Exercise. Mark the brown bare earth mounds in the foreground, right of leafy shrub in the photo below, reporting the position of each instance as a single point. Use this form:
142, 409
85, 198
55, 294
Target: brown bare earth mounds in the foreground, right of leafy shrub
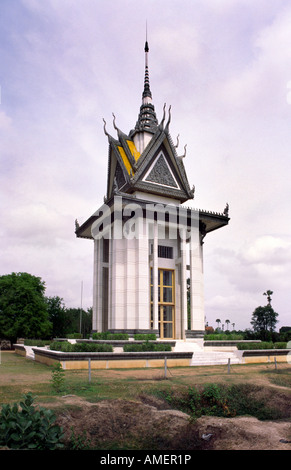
146, 424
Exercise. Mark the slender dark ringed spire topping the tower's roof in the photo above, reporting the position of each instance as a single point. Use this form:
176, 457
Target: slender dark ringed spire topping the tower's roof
147, 120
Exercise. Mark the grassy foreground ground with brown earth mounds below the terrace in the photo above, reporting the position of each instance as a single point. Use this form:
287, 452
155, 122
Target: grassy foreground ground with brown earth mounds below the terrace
128, 408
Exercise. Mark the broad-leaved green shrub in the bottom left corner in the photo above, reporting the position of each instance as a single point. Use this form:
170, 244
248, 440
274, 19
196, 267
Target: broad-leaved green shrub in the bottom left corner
25, 426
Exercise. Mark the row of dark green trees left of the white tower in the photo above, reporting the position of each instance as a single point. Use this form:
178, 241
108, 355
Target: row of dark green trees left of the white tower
26, 312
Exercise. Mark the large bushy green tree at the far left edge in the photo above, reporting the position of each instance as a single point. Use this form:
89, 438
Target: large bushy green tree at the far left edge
23, 309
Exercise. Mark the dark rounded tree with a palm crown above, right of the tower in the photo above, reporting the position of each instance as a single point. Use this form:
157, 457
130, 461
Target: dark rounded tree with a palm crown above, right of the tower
264, 319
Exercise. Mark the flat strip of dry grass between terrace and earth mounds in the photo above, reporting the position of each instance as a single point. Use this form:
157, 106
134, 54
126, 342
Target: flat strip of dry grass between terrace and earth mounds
19, 375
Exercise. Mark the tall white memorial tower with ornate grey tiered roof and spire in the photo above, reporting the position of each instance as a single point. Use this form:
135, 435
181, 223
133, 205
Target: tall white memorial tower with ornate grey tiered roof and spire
148, 248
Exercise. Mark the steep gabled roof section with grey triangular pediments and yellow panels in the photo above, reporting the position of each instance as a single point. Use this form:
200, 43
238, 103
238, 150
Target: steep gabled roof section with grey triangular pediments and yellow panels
156, 170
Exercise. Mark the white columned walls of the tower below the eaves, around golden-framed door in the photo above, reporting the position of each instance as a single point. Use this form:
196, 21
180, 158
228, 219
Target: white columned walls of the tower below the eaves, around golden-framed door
126, 294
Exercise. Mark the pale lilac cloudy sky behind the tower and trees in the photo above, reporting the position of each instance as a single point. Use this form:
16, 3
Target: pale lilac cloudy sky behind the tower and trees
224, 66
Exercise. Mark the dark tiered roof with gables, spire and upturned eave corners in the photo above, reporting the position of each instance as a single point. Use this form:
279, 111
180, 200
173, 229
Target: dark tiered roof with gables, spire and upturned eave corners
145, 162
